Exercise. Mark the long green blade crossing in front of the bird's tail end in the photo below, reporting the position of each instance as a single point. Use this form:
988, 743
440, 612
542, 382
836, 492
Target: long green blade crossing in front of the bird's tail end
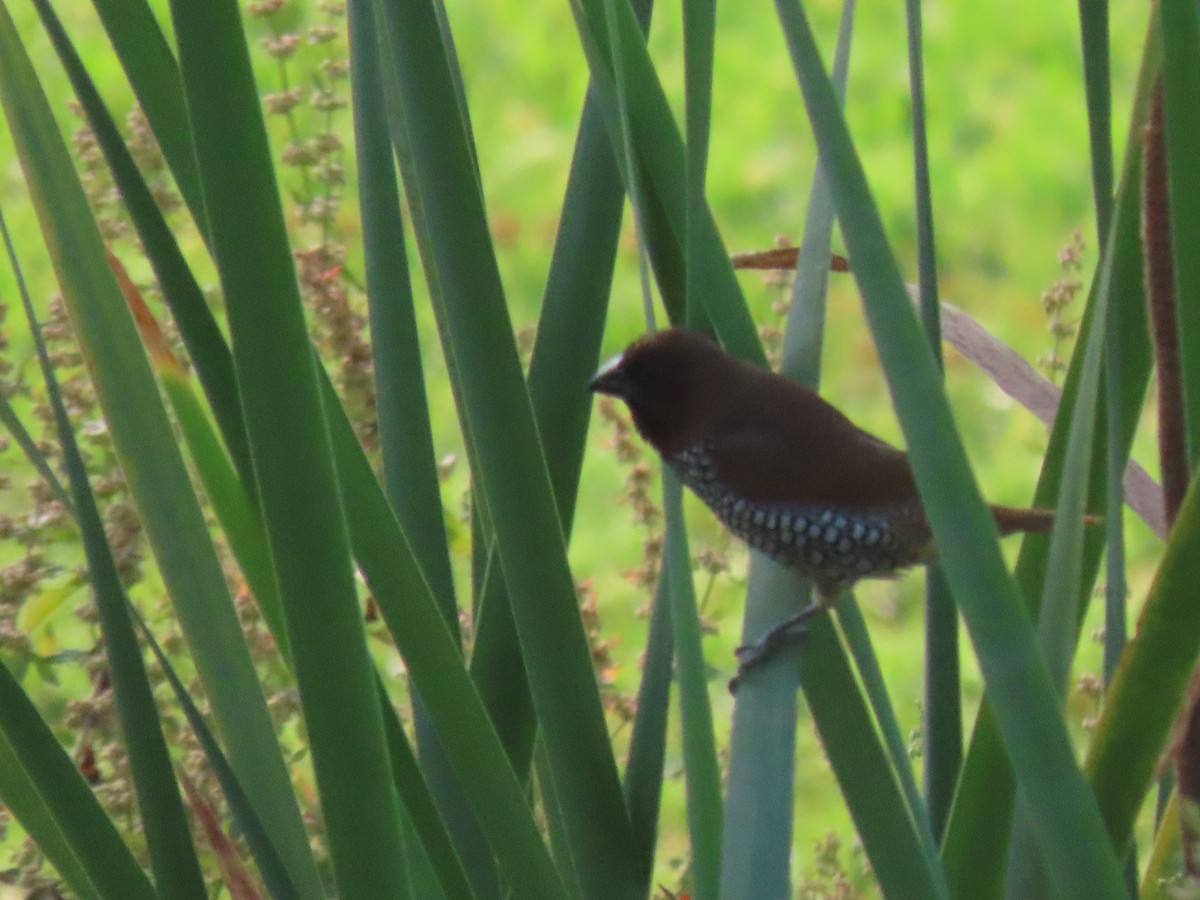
1028, 713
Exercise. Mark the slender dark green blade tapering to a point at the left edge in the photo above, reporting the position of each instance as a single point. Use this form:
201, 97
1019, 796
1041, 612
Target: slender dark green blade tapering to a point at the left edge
173, 860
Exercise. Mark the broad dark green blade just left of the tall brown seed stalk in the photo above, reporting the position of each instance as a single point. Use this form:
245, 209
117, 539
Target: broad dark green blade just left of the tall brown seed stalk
293, 458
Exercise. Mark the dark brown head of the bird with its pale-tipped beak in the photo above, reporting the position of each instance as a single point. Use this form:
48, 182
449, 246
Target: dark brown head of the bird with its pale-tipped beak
674, 383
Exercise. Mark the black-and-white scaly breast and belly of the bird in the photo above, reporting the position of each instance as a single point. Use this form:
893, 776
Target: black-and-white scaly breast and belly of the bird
832, 547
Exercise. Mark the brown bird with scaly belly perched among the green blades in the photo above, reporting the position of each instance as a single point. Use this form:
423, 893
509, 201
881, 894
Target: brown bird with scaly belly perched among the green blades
782, 469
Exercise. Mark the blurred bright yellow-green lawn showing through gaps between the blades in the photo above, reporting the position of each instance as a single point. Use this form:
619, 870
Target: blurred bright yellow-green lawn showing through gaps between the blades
1011, 183
